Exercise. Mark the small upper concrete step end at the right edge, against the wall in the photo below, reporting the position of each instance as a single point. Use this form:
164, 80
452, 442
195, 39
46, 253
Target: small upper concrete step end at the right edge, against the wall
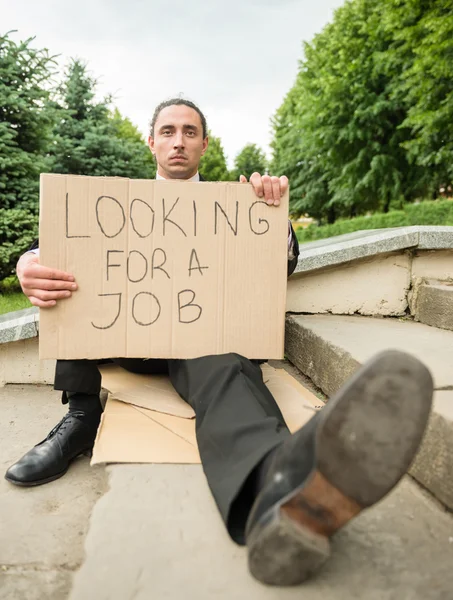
432, 304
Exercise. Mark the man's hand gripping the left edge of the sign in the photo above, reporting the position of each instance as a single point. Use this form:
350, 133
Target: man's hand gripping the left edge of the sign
43, 286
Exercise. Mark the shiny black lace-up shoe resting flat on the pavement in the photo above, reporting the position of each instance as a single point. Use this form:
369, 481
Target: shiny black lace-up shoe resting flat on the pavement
50, 459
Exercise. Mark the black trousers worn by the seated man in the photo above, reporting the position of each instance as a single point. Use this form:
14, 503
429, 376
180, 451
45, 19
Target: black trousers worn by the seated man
237, 419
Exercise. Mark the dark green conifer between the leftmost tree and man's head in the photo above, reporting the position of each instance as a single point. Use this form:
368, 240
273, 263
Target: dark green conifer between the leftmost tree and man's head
89, 139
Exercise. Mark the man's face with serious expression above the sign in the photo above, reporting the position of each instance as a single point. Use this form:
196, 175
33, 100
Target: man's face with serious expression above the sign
178, 142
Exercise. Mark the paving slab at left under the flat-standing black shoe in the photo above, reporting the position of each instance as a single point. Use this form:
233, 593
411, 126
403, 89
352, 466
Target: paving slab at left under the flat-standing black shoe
42, 529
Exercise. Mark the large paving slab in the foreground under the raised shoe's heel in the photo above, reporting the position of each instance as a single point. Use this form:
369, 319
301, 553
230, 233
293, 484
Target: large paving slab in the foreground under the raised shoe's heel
156, 534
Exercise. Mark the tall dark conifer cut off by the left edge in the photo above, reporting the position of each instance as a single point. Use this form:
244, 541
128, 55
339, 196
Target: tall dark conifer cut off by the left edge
25, 120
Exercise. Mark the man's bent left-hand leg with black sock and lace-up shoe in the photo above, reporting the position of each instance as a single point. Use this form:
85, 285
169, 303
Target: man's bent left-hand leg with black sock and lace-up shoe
73, 435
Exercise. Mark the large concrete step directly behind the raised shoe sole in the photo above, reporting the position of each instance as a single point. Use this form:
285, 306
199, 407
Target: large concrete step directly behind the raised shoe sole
329, 348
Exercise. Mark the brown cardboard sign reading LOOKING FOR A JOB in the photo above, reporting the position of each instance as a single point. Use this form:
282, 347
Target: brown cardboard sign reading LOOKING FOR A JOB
164, 269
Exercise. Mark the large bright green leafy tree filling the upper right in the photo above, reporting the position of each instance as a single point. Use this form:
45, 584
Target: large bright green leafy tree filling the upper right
368, 123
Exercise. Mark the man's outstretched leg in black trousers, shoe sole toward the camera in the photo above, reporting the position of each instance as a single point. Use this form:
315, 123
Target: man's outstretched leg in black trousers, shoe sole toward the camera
308, 485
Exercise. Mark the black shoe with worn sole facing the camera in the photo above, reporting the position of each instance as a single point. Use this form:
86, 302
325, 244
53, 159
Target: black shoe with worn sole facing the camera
346, 458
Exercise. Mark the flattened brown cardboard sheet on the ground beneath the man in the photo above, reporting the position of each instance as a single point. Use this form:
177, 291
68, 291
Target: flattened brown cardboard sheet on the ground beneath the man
143, 428
